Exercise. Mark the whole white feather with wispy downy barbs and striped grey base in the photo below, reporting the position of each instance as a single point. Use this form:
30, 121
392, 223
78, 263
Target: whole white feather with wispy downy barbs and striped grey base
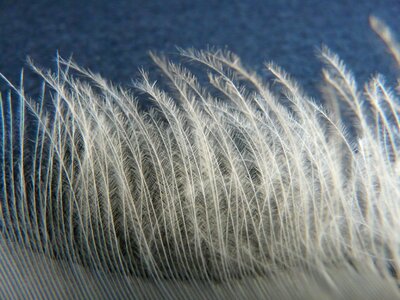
227, 187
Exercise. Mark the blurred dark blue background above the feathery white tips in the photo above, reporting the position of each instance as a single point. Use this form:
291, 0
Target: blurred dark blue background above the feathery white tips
113, 37
